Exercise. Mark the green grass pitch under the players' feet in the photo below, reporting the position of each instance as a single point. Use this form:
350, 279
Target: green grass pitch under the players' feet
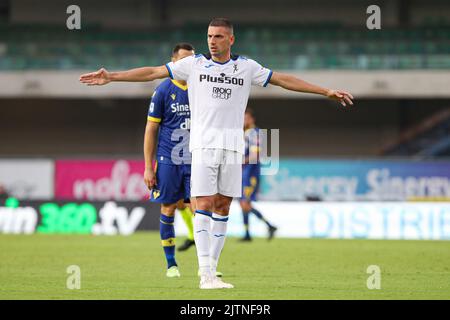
133, 267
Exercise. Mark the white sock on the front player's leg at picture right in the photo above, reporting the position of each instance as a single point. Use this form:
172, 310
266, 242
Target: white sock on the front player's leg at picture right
218, 234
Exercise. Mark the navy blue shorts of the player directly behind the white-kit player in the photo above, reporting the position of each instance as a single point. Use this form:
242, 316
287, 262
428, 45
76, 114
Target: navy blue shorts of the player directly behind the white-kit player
173, 182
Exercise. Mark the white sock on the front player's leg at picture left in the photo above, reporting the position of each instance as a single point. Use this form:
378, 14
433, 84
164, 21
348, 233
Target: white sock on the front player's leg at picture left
202, 230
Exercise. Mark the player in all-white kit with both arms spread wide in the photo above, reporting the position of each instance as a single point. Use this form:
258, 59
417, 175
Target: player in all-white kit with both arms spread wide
219, 86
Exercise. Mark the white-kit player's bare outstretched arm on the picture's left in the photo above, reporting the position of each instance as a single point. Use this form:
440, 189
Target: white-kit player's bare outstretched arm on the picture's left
103, 76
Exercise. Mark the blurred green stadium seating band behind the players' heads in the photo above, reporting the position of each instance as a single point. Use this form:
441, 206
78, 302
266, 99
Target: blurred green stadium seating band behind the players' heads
283, 47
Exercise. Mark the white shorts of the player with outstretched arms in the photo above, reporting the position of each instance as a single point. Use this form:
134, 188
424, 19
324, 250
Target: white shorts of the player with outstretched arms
216, 171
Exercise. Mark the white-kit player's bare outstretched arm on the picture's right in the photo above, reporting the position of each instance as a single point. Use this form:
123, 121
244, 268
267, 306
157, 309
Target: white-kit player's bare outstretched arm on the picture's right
292, 83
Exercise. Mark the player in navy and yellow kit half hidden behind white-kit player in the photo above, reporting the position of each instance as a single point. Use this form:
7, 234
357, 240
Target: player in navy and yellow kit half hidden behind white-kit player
169, 182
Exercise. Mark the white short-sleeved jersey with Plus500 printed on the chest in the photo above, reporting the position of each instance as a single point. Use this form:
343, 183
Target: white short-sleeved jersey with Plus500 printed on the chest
218, 95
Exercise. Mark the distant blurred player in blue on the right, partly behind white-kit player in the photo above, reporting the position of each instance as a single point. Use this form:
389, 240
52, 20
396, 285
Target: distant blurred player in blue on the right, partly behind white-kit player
251, 171
